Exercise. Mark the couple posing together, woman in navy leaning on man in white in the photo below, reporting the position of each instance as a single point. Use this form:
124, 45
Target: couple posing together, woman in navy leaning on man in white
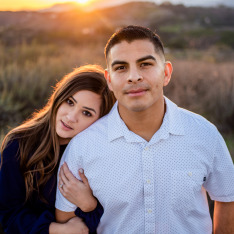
148, 162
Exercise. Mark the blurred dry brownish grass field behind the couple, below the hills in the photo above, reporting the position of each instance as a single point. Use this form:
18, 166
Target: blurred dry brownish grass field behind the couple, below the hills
202, 82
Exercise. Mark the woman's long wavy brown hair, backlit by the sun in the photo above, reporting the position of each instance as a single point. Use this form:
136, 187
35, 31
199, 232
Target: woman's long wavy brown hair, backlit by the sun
38, 141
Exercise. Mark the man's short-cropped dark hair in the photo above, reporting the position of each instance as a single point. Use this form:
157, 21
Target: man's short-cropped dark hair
132, 33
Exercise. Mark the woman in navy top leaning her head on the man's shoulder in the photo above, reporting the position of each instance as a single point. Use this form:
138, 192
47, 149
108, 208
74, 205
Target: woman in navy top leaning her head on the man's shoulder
31, 152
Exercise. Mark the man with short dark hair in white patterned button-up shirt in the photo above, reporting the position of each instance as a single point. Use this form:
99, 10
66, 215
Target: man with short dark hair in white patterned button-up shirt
149, 162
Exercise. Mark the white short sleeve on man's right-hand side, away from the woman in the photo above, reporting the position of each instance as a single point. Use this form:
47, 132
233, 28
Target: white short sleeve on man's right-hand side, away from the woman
219, 183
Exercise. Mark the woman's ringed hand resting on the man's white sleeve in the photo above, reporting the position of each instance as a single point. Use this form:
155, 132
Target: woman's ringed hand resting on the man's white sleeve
76, 191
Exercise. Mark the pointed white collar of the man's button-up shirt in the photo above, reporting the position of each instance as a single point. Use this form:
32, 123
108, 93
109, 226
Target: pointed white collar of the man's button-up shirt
172, 124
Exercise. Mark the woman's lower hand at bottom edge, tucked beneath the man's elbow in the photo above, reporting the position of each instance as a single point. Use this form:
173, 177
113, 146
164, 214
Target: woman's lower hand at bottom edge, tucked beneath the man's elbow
74, 226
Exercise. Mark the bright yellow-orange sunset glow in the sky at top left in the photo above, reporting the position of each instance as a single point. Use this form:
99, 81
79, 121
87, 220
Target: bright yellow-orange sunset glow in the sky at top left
15, 5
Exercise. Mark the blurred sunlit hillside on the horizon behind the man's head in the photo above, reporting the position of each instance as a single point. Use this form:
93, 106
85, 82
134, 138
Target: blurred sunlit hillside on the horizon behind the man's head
179, 26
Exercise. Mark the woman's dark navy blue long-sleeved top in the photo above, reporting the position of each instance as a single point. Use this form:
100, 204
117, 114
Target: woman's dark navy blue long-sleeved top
33, 216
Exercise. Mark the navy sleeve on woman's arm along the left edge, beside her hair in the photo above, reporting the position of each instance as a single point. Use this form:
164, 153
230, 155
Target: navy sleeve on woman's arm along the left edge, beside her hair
17, 216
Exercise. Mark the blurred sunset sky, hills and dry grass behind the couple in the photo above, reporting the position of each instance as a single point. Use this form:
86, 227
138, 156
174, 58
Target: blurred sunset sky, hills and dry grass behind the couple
42, 41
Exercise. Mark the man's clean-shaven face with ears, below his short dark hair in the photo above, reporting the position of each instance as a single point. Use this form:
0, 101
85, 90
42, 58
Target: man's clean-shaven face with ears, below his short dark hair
136, 74
